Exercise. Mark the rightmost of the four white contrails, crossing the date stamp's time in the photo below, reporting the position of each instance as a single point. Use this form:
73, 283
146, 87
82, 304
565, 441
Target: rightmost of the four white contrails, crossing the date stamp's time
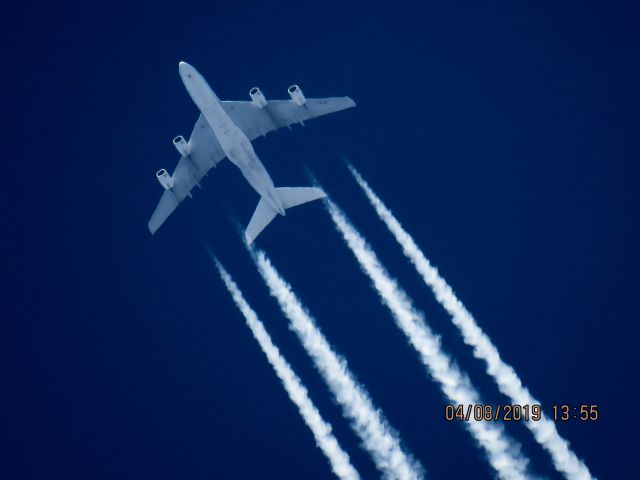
505, 376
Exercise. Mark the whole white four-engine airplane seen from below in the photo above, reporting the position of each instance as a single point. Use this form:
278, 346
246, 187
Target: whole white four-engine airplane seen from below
226, 129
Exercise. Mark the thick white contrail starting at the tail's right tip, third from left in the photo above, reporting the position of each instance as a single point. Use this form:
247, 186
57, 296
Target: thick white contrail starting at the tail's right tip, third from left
503, 453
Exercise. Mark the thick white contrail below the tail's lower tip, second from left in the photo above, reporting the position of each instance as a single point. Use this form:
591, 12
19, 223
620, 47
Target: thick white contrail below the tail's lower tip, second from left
368, 422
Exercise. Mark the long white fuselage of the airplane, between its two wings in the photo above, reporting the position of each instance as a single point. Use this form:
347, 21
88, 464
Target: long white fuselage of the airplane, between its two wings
232, 140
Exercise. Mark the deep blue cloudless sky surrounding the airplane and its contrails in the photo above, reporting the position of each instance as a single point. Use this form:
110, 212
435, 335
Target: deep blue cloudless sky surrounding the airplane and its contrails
504, 135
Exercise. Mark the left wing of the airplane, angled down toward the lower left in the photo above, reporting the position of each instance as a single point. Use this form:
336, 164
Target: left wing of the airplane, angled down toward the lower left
205, 154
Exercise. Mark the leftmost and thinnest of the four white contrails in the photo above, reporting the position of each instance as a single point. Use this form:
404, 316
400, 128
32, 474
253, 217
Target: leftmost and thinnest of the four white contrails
298, 394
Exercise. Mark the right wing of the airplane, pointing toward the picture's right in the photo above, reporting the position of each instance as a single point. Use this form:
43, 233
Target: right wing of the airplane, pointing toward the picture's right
255, 121
